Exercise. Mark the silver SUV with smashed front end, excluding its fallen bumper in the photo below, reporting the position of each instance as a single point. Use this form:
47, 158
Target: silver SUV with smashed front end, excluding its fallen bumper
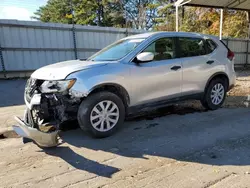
132, 74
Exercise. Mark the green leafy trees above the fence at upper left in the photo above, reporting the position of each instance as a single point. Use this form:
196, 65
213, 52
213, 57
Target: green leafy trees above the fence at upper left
85, 12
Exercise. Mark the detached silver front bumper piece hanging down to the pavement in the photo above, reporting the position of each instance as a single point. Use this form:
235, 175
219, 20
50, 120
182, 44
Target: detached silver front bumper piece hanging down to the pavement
40, 138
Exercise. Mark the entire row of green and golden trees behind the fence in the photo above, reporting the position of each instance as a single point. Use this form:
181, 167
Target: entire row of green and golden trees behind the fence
144, 14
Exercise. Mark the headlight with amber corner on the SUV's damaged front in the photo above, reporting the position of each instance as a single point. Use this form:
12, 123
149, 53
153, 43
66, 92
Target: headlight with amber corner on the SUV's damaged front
57, 86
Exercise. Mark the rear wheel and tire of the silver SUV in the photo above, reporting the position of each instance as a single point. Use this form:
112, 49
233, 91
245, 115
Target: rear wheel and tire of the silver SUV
216, 85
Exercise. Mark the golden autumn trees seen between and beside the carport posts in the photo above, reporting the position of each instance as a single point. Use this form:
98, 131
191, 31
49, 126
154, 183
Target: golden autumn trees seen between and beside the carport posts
207, 21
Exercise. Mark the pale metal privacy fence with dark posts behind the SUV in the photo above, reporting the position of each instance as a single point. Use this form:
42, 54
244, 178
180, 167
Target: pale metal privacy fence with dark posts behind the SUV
26, 45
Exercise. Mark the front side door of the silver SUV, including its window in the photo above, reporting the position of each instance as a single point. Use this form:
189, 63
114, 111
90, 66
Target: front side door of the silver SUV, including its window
159, 79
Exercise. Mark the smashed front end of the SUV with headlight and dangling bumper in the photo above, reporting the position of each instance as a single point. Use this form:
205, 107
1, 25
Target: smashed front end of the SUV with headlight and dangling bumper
49, 104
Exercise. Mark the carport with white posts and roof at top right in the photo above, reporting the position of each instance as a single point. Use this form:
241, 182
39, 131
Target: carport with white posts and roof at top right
221, 4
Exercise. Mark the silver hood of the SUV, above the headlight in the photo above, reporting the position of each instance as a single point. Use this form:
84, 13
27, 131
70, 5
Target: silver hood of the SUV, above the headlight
61, 70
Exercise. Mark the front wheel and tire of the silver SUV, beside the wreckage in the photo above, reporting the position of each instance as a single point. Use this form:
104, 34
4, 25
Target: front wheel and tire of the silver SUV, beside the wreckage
93, 106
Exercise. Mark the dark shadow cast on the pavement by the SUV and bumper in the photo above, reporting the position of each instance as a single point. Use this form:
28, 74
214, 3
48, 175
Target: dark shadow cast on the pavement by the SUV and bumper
214, 138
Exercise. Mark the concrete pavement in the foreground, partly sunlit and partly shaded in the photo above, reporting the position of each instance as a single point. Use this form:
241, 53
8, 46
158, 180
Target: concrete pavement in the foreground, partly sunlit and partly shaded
208, 149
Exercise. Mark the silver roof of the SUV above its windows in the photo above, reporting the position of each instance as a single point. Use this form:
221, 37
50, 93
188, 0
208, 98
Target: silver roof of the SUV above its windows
164, 33
